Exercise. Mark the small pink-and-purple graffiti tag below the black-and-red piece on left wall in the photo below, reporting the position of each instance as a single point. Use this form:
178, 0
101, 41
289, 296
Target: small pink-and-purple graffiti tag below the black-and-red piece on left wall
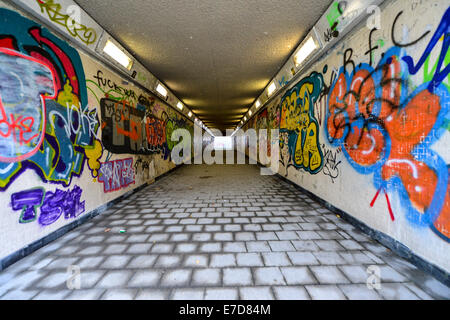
117, 174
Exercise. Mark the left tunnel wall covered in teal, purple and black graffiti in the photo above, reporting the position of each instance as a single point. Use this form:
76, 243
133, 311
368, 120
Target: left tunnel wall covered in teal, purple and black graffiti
73, 134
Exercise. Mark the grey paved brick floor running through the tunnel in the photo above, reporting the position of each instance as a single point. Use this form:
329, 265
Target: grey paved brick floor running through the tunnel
216, 232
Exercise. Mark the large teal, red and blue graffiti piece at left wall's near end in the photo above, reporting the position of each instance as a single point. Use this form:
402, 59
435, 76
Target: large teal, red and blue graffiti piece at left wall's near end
47, 67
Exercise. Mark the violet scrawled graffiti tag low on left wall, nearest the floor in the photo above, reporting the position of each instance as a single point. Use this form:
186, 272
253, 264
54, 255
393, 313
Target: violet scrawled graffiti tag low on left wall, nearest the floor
52, 205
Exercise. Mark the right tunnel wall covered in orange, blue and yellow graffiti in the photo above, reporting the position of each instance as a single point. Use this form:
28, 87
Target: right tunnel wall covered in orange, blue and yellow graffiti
367, 127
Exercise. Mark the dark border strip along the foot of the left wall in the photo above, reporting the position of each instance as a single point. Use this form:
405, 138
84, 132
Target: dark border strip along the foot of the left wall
36, 245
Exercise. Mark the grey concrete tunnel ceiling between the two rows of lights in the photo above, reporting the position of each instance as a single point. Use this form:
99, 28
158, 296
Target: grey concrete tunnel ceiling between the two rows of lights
215, 55
